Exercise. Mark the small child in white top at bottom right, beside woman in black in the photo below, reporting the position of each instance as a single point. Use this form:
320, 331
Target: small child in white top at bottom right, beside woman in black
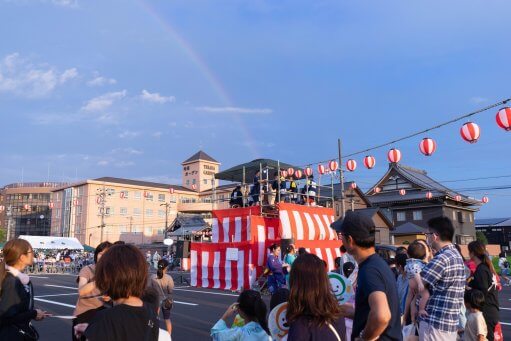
475, 329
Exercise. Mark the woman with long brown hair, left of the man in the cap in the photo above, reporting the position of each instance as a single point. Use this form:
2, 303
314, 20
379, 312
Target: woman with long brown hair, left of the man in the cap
313, 313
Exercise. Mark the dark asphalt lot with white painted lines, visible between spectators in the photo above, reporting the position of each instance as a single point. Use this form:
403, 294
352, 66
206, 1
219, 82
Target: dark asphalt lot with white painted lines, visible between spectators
195, 310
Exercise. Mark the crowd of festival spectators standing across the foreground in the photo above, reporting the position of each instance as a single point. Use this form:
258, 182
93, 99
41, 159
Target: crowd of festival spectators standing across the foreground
432, 293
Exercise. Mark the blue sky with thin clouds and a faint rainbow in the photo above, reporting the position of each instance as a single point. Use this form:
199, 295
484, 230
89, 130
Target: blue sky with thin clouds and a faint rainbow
132, 88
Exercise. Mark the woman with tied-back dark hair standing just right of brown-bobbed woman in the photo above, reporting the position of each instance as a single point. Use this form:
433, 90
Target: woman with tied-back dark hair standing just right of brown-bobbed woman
164, 285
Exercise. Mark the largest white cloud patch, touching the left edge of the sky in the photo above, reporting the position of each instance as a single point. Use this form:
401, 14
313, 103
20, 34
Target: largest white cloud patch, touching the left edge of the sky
24, 78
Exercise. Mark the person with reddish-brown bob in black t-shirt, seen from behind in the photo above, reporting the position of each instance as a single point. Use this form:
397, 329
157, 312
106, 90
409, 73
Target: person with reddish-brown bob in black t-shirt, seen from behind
121, 273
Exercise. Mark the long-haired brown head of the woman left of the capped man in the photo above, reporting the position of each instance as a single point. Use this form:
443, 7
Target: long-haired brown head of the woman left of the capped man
310, 292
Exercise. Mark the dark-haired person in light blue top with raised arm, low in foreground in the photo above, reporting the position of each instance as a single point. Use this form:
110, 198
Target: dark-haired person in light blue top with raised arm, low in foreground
252, 309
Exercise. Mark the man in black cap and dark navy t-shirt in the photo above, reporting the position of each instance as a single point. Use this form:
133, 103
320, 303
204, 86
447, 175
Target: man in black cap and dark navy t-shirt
376, 315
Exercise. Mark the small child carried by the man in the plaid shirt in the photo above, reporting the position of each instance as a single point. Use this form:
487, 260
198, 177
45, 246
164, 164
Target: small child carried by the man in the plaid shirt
417, 291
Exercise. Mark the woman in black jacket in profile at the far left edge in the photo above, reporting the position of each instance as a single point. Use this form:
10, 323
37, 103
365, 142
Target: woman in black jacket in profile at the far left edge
17, 294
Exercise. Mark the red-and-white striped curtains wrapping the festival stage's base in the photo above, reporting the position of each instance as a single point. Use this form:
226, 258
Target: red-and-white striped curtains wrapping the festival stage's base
241, 237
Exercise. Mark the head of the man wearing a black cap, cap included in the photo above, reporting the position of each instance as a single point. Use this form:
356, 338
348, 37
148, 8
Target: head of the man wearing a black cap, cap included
357, 231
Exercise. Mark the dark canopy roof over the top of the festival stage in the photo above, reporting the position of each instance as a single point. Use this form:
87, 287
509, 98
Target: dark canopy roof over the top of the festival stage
235, 173
